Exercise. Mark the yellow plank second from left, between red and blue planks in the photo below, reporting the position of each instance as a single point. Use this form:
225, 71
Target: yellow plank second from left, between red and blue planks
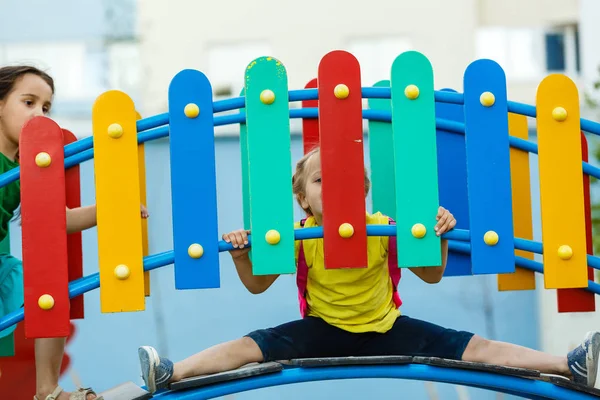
120, 251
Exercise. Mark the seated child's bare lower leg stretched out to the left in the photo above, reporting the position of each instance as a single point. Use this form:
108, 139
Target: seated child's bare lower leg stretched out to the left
222, 357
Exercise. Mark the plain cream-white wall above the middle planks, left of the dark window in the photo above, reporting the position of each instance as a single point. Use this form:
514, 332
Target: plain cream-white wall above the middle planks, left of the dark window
298, 34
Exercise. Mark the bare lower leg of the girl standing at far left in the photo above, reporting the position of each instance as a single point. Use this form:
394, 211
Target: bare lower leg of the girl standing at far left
48, 359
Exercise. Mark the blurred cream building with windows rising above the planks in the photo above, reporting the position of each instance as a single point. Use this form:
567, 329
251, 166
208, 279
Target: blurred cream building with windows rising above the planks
528, 38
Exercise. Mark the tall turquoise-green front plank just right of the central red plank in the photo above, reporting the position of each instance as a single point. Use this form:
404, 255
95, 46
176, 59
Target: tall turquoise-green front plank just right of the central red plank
417, 197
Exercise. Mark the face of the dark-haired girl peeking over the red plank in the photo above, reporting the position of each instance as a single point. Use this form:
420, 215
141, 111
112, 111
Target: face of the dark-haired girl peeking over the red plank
31, 97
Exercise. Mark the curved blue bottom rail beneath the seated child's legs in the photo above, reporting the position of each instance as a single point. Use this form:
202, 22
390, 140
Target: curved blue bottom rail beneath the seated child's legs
525, 387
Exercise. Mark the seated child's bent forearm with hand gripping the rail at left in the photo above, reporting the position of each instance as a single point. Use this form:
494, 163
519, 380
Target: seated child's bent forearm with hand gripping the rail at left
254, 283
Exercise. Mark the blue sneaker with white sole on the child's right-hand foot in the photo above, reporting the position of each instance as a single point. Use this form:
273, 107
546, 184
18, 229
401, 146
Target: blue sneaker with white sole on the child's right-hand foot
583, 360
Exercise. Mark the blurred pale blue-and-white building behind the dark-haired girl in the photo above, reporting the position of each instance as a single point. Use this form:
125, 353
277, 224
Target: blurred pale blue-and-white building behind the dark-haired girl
88, 47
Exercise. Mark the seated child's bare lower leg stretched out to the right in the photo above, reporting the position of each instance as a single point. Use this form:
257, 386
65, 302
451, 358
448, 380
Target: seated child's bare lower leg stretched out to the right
511, 355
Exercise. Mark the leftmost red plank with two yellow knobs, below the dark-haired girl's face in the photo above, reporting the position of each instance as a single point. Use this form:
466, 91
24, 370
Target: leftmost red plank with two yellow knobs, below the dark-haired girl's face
44, 229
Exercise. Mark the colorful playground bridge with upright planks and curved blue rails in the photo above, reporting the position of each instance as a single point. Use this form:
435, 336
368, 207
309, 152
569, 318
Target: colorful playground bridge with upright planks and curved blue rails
427, 148
